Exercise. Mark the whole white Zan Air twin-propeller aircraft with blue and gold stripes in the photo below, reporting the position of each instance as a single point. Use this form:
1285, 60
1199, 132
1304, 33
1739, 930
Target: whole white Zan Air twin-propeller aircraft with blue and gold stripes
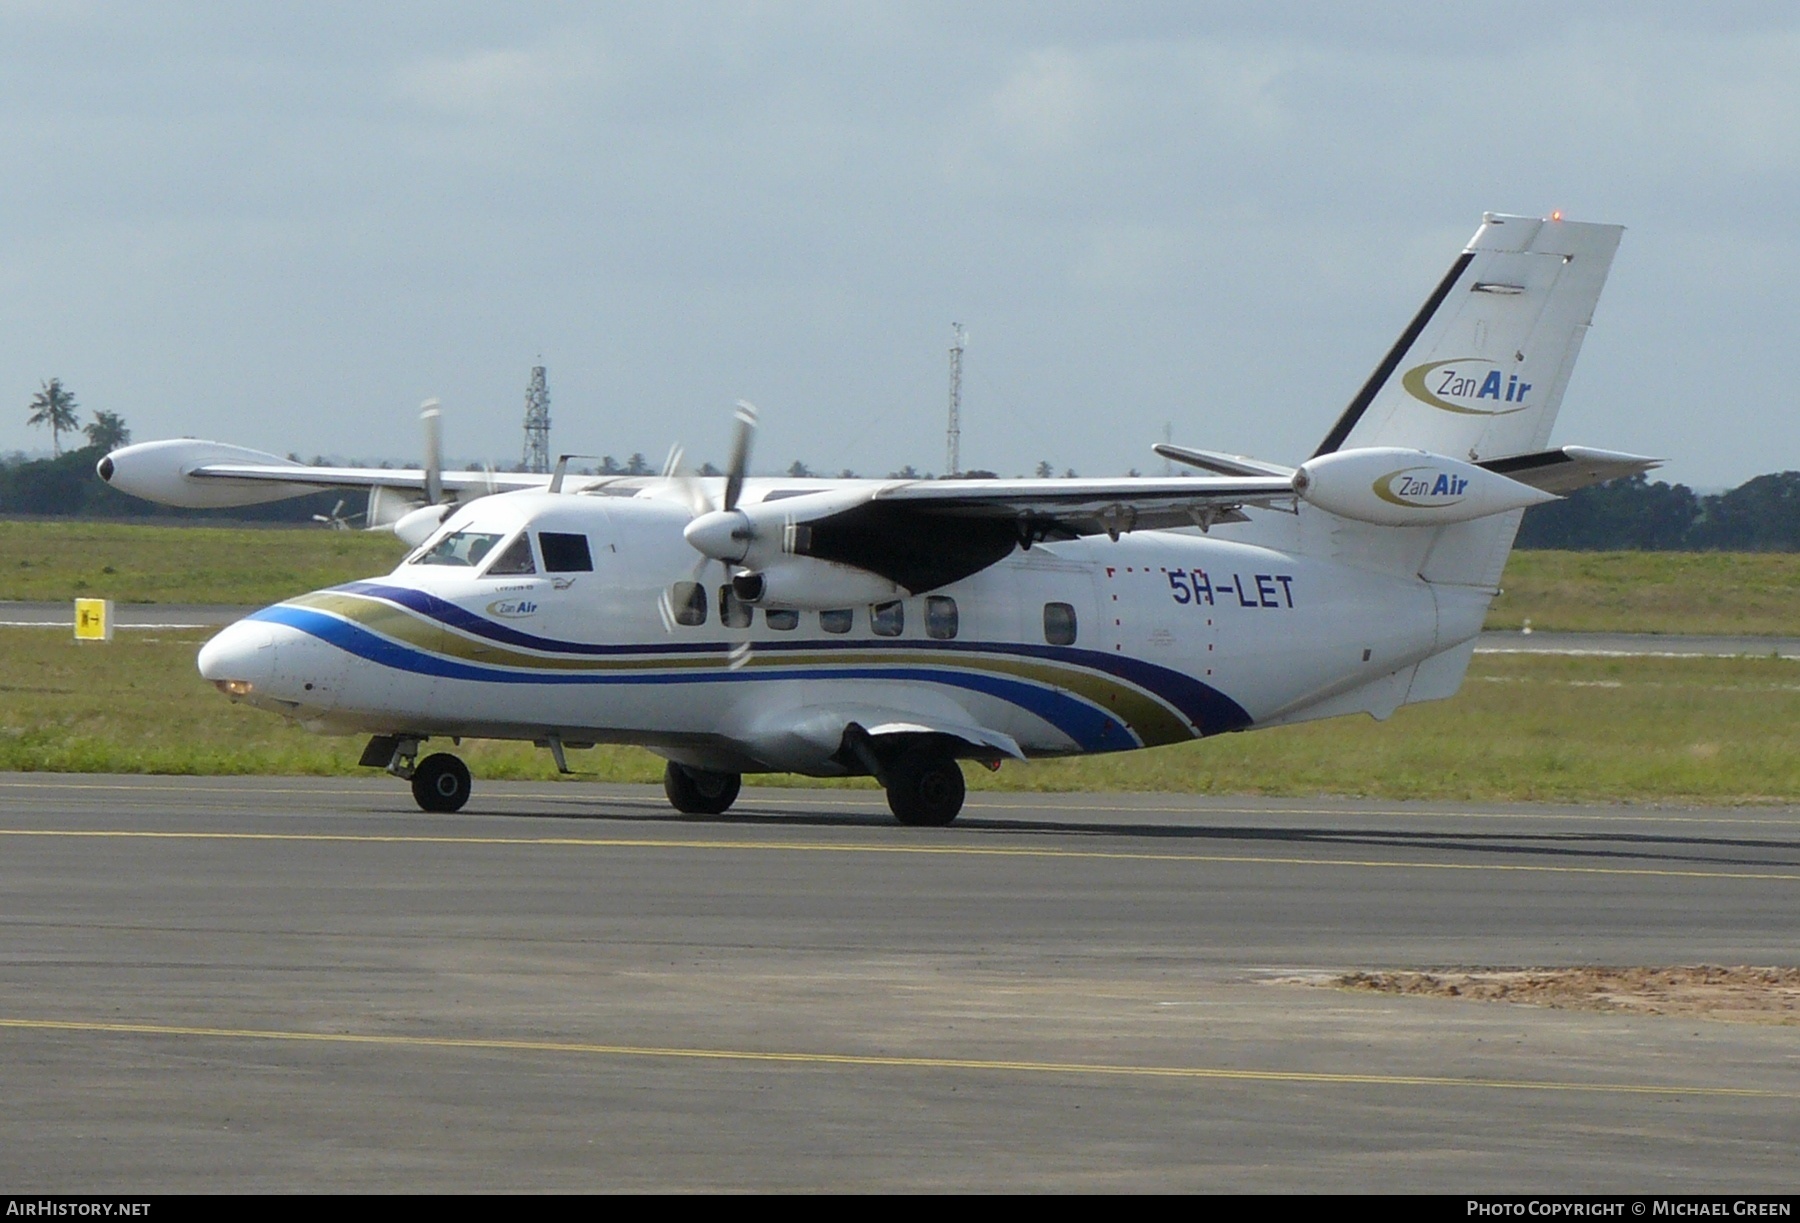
895, 628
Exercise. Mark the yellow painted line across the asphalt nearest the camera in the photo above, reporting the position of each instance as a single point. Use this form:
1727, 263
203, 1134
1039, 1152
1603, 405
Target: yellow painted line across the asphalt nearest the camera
886, 1062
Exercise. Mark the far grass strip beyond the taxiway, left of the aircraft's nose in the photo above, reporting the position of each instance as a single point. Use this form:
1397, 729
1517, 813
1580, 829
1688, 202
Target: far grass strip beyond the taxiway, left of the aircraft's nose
183, 565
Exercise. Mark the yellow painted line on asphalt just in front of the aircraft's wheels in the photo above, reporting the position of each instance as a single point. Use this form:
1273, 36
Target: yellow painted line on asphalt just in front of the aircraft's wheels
939, 851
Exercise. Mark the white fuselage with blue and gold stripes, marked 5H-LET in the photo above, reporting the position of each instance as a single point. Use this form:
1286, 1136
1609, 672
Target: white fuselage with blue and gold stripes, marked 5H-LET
589, 619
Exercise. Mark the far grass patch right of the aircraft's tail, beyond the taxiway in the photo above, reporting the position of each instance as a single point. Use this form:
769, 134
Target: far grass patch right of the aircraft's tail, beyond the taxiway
1725, 593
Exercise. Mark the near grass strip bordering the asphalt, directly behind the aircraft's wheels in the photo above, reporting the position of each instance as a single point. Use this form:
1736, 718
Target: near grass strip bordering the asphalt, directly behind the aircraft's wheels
1524, 729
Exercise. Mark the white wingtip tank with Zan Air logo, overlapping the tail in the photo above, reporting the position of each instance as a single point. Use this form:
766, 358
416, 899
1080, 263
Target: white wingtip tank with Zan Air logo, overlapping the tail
1394, 487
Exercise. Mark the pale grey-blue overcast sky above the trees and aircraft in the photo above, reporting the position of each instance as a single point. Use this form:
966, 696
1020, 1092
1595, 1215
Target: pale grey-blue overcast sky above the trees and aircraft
285, 226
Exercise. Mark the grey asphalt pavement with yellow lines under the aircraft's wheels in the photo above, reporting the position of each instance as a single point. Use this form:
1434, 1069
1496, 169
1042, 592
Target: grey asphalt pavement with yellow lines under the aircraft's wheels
276, 984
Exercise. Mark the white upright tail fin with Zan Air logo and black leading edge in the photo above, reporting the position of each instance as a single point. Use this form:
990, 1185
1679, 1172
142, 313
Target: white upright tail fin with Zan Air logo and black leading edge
1482, 368
